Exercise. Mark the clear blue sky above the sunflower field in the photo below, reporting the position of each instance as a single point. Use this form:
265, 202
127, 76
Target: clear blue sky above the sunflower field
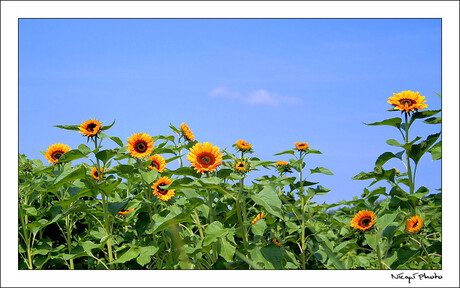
271, 82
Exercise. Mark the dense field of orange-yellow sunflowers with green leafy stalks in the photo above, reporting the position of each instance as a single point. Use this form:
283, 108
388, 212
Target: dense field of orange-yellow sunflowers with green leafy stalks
123, 208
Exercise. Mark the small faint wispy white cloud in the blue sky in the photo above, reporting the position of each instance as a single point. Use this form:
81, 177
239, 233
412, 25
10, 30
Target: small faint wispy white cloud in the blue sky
257, 97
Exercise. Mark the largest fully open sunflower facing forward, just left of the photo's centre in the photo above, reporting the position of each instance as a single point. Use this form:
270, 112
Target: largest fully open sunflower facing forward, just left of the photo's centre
204, 157
